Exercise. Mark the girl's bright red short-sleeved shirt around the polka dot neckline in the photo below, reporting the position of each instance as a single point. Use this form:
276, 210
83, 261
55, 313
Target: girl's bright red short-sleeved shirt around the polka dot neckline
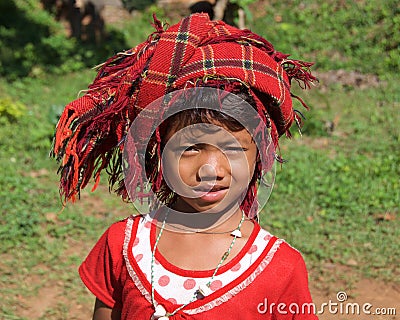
275, 286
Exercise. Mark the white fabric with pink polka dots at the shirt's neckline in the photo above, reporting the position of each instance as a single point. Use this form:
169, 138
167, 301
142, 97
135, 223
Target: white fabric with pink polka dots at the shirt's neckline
174, 285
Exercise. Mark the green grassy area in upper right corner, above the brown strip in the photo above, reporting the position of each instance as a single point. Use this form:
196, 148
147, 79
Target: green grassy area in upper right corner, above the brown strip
354, 35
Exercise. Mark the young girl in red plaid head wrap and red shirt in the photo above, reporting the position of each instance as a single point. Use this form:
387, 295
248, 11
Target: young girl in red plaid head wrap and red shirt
188, 120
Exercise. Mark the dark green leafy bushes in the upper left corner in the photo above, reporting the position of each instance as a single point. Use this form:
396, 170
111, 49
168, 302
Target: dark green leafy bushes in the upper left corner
33, 43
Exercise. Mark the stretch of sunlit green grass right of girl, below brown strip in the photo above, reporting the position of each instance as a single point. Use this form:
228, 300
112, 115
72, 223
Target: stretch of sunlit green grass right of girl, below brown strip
337, 197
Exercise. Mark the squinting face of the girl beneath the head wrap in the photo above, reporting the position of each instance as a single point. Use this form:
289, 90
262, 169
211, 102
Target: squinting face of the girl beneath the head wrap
208, 166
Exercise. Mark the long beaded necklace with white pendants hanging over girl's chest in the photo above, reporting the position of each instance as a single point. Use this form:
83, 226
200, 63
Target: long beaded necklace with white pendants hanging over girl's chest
203, 290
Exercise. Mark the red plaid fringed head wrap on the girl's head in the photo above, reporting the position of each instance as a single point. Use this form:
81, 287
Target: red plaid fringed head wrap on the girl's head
196, 51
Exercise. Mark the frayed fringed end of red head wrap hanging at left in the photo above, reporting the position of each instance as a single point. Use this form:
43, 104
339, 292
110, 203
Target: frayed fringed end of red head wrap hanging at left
94, 116
